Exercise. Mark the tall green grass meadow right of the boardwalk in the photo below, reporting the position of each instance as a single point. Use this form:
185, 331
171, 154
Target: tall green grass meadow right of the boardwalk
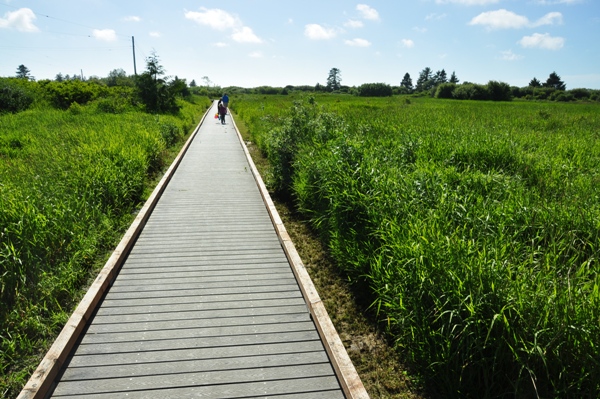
473, 227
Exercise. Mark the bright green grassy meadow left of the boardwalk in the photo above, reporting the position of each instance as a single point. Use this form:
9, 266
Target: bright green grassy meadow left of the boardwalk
70, 184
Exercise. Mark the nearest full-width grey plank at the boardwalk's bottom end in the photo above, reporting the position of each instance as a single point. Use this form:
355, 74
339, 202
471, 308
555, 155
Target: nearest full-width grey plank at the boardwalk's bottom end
209, 378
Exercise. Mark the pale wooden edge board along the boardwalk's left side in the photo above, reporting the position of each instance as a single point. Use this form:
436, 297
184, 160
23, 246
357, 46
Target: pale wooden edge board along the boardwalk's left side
42, 379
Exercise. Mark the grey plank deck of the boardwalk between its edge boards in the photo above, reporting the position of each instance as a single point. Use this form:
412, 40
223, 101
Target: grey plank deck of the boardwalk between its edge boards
206, 304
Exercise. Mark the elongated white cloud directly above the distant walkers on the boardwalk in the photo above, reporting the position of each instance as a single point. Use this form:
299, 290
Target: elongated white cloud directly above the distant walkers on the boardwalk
221, 20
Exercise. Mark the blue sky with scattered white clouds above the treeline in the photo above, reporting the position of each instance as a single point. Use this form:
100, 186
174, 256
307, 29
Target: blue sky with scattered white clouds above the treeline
251, 43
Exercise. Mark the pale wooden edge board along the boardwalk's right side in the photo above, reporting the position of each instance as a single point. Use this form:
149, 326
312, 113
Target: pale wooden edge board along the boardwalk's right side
343, 366
